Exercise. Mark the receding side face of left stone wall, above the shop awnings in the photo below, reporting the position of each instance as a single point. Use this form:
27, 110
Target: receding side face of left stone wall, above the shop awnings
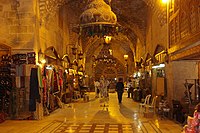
53, 32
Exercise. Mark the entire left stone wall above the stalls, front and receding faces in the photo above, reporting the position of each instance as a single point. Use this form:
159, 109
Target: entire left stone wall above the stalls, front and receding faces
24, 29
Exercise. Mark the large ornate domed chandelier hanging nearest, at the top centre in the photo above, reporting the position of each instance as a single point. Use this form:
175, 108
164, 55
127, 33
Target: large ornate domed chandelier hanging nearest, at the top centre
97, 20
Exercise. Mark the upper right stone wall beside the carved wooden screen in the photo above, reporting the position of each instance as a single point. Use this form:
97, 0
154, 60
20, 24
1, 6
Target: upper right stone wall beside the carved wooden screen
156, 34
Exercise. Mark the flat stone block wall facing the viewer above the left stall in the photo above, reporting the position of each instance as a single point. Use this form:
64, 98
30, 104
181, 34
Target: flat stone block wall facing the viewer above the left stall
17, 25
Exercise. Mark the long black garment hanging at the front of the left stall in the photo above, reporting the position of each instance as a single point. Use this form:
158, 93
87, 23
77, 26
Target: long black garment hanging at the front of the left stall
34, 89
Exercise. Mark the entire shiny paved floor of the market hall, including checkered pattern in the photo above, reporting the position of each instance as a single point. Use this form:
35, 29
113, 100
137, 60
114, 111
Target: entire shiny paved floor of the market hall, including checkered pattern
94, 117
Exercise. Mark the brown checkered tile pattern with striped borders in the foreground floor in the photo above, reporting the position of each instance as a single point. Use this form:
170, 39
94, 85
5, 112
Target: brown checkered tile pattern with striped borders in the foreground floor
60, 127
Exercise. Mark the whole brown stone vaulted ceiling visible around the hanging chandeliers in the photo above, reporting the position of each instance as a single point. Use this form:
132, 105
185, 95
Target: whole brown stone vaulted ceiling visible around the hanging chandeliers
131, 15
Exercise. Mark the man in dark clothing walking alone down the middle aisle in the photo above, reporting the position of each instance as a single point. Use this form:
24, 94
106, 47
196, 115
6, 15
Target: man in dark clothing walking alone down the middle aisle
120, 89
